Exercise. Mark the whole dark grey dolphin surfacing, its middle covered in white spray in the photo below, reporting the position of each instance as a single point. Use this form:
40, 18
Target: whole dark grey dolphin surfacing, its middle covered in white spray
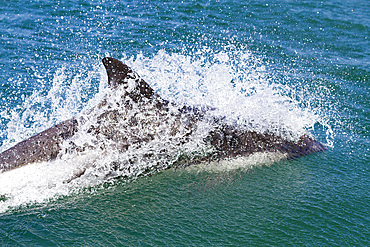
138, 115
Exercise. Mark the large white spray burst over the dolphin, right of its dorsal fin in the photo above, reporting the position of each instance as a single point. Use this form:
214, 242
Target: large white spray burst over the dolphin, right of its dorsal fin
234, 82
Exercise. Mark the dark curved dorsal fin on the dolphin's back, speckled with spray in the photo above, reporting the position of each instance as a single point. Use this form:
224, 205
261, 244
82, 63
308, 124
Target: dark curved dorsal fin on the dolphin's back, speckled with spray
119, 73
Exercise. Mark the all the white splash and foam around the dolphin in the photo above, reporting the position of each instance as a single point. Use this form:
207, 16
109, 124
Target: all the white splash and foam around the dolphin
233, 81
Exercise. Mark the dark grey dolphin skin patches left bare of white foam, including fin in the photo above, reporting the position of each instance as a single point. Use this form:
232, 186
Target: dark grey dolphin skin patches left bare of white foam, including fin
227, 140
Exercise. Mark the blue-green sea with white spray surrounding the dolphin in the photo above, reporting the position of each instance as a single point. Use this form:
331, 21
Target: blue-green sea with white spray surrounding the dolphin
303, 65
